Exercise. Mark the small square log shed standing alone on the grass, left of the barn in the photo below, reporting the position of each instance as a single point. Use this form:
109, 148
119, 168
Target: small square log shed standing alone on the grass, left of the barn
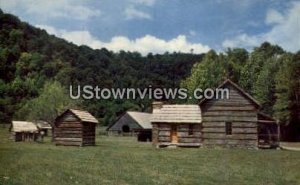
75, 127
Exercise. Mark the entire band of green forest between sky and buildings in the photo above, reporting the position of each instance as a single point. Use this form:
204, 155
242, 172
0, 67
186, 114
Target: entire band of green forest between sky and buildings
37, 68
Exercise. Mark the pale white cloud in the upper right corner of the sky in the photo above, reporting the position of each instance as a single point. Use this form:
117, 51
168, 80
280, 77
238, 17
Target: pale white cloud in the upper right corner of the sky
285, 31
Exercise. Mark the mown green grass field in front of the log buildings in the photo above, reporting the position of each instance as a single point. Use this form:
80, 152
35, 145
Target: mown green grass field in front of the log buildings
118, 160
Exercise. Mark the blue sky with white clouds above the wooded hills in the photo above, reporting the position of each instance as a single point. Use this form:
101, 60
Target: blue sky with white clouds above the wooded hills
160, 26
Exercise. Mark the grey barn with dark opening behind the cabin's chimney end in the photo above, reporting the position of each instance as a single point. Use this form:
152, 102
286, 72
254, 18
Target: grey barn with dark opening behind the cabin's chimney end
132, 124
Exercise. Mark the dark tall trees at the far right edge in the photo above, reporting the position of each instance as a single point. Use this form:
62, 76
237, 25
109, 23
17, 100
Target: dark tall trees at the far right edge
287, 105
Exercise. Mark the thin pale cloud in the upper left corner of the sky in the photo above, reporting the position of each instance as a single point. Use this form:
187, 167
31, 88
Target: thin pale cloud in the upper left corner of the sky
58, 8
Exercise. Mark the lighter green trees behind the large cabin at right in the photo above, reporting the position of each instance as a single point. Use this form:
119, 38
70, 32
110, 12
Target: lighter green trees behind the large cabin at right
270, 74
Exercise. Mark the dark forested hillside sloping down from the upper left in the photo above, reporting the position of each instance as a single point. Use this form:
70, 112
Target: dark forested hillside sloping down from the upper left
34, 64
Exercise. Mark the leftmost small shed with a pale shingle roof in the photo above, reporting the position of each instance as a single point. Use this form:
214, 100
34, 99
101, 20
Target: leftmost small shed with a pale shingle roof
24, 131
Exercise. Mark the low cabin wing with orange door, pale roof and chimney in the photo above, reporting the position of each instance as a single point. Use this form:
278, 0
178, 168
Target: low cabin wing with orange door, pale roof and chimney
176, 125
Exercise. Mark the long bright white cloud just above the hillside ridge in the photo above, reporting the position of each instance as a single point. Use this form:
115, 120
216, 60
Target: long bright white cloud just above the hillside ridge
144, 45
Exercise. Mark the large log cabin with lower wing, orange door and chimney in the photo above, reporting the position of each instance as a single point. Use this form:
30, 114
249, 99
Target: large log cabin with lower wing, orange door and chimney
229, 122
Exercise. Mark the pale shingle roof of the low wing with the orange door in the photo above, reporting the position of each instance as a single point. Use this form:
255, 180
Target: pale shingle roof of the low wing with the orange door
177, 114
